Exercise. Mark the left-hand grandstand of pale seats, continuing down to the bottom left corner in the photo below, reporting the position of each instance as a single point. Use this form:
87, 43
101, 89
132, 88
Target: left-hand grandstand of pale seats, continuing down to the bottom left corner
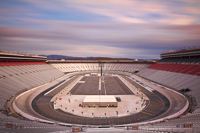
20, 76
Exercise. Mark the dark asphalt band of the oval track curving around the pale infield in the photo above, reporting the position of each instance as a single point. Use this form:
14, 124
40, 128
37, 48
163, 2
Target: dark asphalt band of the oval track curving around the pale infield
157, 106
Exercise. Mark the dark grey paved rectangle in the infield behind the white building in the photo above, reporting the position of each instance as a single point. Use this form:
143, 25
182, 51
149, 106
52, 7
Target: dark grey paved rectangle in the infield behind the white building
111, 85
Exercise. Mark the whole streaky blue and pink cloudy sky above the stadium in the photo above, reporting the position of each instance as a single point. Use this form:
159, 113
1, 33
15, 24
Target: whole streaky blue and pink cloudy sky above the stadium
105, 28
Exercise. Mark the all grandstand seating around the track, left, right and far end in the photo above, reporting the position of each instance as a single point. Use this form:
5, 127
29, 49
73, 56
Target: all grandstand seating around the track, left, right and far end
19, 76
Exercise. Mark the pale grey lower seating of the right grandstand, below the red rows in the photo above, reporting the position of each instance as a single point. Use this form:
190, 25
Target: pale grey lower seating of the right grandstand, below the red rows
175, 80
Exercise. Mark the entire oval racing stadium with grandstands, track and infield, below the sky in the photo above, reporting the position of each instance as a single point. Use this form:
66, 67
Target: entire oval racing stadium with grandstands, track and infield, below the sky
40, 95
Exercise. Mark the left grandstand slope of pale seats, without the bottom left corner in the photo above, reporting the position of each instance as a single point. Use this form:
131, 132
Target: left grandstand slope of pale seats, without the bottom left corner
24, 76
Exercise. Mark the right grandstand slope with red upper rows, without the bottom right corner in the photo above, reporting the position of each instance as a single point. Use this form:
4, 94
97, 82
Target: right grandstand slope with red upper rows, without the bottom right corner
176, 76
